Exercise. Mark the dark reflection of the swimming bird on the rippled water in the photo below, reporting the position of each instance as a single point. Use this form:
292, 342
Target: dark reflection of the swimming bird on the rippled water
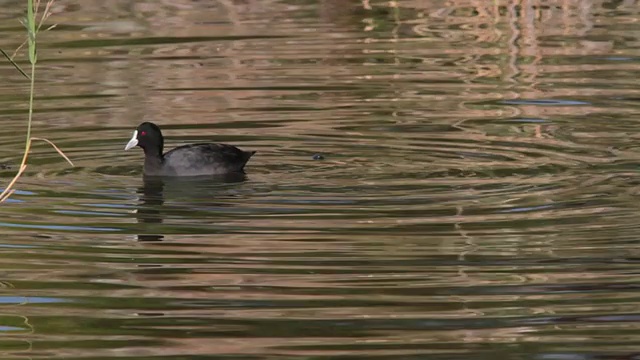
152, 197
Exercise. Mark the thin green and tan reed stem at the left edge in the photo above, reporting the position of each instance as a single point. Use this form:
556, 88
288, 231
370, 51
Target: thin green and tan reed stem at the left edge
33, 26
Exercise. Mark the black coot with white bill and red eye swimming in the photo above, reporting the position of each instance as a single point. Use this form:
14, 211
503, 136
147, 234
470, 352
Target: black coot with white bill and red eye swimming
187, 160
